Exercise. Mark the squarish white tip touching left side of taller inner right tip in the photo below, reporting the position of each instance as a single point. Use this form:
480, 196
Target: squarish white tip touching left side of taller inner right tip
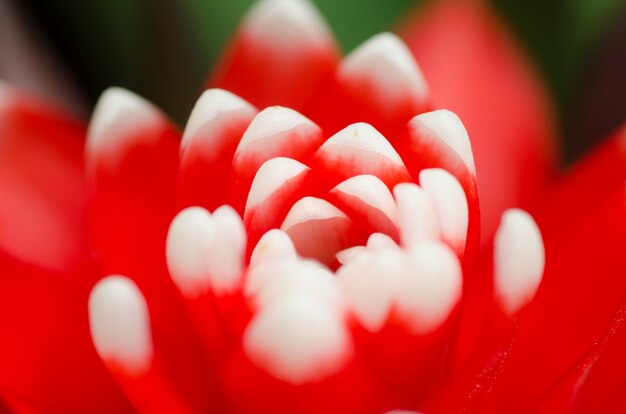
417, 218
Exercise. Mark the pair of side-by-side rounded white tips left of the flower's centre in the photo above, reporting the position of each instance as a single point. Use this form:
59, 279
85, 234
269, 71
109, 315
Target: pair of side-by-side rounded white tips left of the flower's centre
206, 252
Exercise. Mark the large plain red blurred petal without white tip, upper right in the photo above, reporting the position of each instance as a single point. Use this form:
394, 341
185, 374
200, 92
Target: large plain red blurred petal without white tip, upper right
475, 69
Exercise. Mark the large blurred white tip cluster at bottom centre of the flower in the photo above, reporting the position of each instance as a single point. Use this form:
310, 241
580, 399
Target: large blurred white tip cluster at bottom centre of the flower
298, 333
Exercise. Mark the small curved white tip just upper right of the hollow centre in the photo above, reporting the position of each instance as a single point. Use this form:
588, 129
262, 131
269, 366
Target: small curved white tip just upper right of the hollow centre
373, 192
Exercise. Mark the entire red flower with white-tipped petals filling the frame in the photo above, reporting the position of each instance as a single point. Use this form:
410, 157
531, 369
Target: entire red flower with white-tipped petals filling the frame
323, 255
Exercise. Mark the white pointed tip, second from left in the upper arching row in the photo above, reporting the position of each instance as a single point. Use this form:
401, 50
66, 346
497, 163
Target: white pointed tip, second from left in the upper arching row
214, 109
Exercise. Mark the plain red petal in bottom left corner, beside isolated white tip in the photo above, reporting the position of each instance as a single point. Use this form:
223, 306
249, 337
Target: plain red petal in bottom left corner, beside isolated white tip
46, 333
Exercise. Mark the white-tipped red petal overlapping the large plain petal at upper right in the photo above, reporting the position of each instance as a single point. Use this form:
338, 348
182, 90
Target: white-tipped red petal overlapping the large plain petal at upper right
379, 83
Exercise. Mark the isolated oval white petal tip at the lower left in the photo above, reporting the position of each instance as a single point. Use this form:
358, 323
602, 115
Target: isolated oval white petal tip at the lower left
120, 325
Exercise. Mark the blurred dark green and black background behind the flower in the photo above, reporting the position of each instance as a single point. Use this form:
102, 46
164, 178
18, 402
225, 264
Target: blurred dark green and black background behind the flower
69, 51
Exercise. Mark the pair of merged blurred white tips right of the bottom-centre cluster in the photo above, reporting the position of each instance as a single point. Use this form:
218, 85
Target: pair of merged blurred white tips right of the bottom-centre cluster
421, 284
